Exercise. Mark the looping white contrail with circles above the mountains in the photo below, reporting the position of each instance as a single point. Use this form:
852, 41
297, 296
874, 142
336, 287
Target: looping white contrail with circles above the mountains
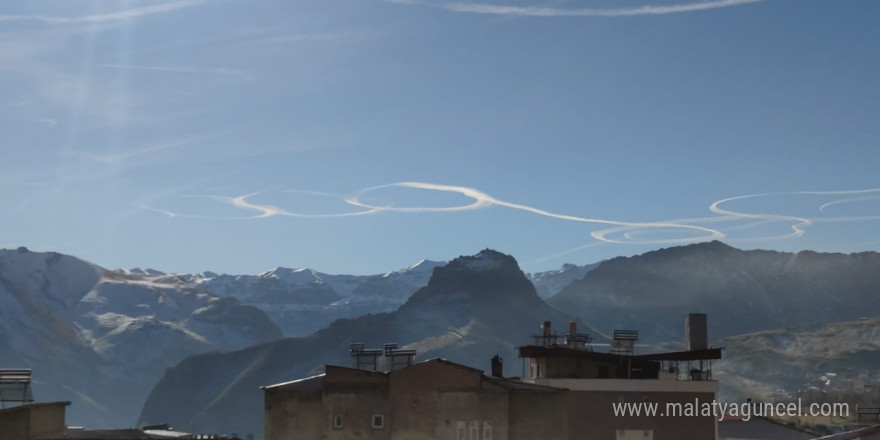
620, 232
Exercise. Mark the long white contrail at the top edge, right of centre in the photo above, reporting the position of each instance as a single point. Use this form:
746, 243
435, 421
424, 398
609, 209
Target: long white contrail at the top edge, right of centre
540, 11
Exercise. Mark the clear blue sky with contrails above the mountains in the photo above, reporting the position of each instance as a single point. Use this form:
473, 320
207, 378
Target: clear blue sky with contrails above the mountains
360, 136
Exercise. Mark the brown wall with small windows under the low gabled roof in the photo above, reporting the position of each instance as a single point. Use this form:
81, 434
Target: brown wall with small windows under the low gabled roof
425, 401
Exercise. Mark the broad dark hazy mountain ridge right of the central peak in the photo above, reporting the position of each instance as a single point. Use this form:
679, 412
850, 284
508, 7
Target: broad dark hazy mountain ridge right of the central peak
743, 291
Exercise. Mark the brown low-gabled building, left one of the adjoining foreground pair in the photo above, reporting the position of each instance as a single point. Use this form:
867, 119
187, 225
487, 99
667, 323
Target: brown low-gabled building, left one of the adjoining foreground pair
435, 399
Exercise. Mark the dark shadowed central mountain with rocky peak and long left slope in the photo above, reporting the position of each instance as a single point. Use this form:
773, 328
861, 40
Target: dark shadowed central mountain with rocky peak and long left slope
471, 309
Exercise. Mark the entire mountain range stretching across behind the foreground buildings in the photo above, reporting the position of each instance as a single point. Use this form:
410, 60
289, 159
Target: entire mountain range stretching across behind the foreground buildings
89, 332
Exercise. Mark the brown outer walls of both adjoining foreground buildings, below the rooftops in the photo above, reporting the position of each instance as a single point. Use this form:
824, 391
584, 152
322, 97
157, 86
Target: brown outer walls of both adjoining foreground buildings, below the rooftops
433, 400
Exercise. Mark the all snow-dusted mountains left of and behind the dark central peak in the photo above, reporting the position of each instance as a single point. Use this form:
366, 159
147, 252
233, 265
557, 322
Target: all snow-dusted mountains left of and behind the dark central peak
88, 332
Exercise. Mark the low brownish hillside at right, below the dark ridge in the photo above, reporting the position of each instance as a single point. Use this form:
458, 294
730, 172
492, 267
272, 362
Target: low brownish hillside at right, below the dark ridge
838, 358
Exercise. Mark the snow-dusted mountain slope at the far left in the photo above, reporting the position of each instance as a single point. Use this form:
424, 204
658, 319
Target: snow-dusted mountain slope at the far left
101, 339
